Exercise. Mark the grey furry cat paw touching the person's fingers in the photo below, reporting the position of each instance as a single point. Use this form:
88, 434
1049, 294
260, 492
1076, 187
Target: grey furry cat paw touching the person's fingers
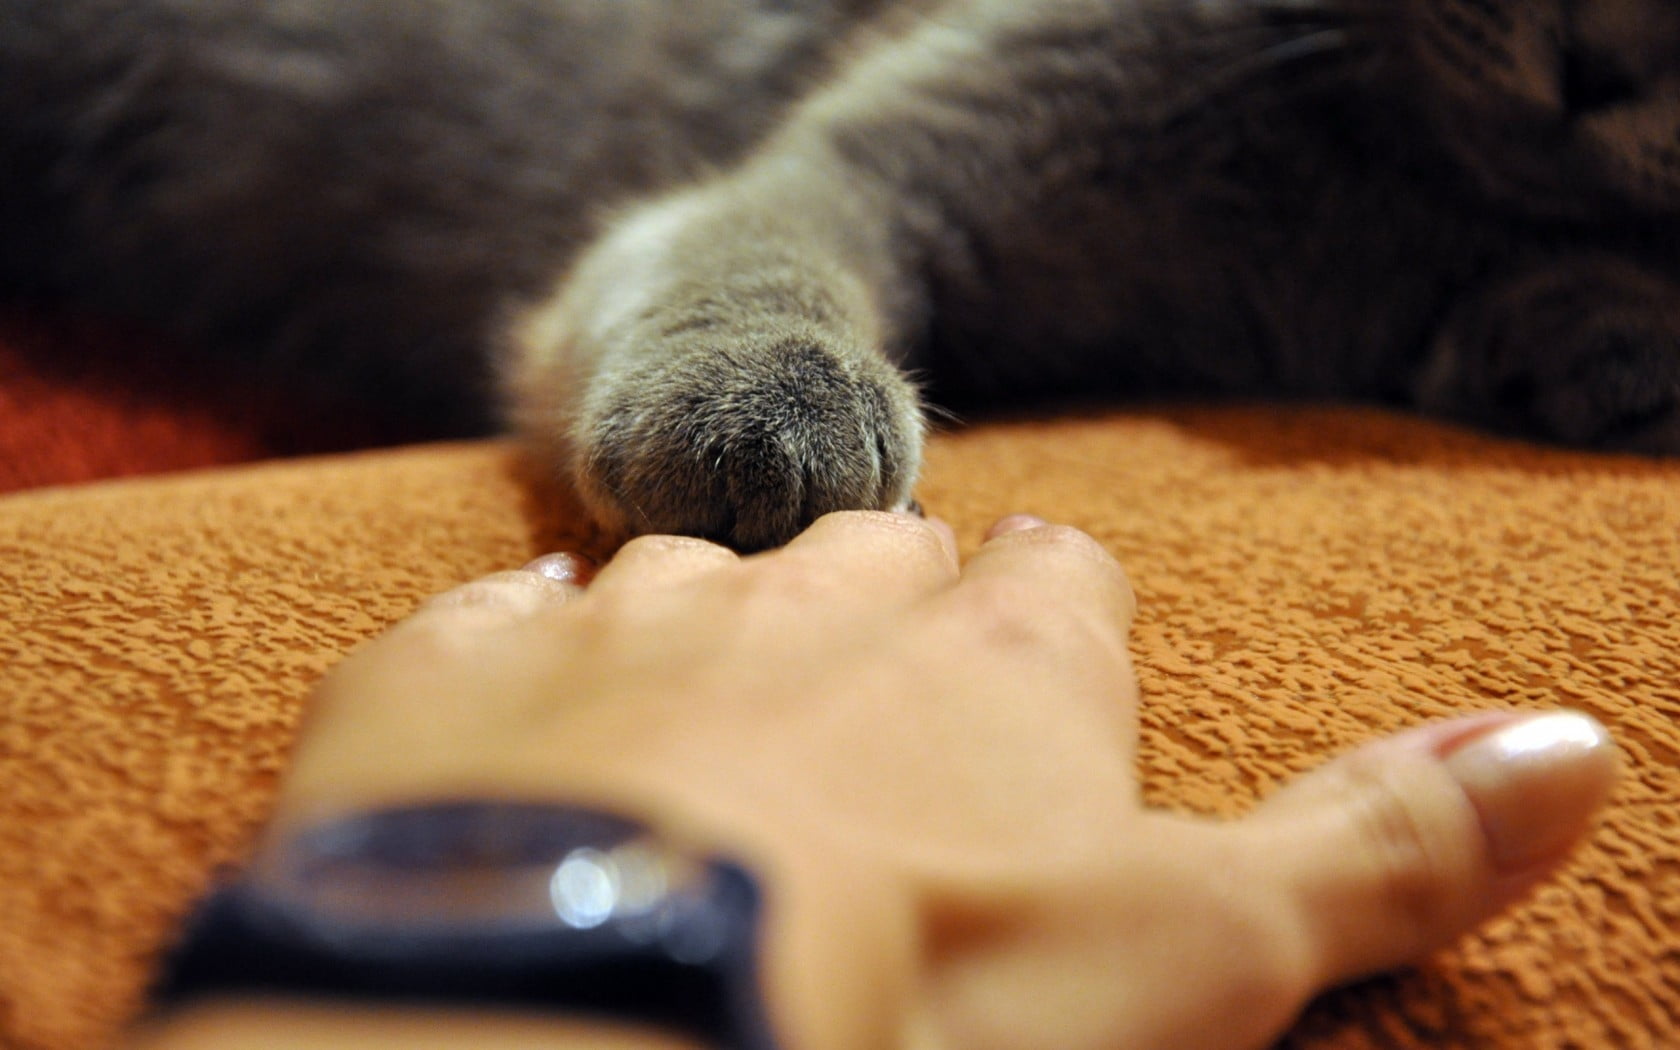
747, 444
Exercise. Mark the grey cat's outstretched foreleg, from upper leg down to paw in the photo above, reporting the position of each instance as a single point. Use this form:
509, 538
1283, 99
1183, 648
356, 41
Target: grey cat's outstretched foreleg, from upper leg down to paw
727, 362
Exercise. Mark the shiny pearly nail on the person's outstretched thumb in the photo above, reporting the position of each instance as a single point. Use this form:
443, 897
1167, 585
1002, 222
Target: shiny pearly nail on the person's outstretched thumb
1536, 784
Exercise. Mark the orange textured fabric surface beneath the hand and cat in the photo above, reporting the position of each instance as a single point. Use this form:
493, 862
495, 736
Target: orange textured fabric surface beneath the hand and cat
1308, 579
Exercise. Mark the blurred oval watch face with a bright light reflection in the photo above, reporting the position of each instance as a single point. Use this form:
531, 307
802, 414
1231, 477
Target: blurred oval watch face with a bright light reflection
481, 868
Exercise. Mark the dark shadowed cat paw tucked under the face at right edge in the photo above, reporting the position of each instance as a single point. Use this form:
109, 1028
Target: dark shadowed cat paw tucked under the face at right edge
1588, 359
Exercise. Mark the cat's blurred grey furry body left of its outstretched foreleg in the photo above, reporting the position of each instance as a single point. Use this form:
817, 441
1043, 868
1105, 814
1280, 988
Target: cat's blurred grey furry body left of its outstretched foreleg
350, 194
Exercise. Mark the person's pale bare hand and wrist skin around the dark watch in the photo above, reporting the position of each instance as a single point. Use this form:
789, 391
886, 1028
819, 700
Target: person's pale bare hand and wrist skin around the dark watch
932, 767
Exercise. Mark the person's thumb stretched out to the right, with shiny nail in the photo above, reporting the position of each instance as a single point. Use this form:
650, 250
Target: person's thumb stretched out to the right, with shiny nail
1407, 844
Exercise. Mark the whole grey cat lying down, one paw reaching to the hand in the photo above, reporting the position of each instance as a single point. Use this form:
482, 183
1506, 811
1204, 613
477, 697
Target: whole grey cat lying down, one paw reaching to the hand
1464, 207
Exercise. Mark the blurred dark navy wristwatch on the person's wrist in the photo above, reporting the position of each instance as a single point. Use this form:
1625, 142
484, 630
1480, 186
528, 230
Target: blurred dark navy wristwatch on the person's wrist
505, 903
